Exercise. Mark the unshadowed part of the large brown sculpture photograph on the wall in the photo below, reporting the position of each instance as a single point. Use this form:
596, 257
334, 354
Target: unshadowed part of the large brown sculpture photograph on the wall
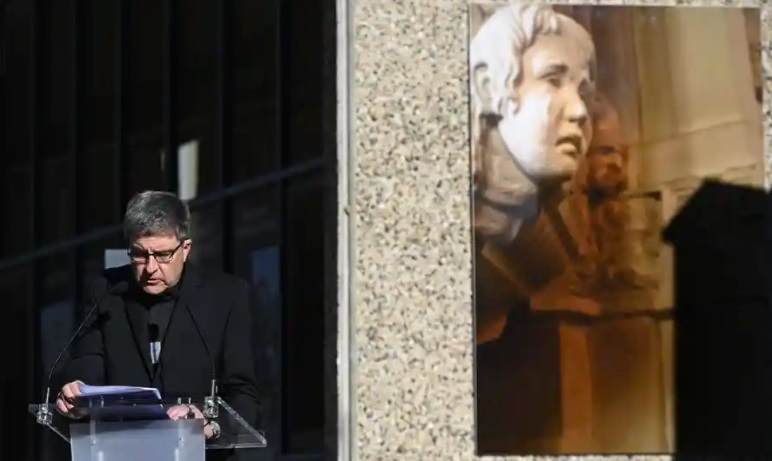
591, 127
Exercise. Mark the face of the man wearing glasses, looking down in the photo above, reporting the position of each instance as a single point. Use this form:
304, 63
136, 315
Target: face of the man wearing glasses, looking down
158, 261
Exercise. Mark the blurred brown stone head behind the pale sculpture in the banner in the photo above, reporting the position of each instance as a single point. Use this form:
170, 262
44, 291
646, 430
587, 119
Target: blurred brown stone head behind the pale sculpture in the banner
607, 156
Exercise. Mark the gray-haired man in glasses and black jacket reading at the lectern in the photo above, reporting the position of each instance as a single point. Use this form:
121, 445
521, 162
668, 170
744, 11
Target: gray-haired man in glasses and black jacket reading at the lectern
162, 322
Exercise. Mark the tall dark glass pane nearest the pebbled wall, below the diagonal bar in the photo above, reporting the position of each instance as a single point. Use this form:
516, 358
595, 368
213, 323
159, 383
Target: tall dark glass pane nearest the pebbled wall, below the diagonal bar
303, 356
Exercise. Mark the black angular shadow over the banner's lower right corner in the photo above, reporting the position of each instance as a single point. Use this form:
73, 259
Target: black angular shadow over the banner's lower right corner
723, 323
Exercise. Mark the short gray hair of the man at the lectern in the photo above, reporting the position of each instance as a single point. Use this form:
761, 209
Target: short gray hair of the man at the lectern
154, 213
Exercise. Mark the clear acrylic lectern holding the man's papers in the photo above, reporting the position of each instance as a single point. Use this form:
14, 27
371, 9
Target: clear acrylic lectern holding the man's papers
131, 431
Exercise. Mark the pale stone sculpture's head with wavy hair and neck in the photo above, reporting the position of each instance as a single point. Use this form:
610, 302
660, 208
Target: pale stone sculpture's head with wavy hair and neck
531, 73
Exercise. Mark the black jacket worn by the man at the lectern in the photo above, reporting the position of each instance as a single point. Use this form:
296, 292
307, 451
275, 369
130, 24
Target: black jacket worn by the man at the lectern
114, 347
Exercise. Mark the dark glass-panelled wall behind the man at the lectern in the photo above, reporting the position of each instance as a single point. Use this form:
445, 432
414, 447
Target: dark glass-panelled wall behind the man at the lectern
94, 91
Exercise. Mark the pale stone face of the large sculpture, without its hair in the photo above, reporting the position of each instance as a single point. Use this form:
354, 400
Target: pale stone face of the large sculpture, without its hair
546, 127
